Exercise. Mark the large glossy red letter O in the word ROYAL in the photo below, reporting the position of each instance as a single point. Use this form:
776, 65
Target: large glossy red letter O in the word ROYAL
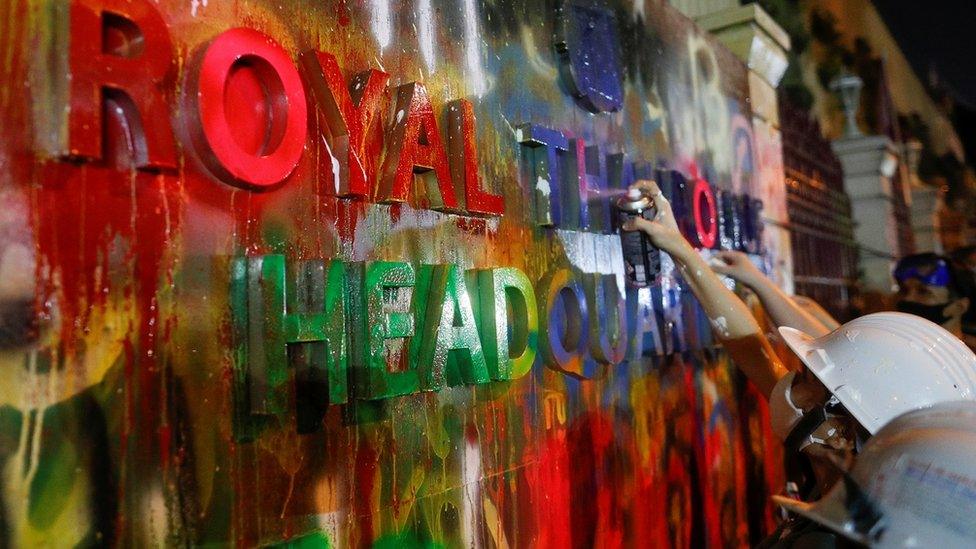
247, 79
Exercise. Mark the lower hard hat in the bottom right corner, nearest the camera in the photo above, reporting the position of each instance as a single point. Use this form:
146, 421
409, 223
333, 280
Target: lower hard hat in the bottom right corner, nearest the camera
914, 484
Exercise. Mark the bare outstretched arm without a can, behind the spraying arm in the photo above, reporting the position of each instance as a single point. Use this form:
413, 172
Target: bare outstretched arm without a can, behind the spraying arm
780, 306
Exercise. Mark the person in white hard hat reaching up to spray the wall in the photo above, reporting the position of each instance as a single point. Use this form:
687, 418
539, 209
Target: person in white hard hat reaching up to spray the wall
854, 379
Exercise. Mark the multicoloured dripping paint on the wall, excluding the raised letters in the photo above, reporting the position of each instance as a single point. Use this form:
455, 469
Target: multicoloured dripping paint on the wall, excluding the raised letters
118, 410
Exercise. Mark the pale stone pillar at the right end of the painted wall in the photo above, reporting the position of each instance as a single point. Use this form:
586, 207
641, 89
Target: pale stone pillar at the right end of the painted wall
753, 36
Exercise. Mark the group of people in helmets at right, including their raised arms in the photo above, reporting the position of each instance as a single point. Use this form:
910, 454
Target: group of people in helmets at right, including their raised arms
878, 421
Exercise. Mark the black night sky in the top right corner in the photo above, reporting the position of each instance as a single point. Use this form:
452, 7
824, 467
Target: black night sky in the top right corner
941, 34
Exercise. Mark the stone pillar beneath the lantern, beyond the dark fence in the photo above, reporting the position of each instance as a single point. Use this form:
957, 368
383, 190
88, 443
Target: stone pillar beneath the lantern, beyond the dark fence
869, 162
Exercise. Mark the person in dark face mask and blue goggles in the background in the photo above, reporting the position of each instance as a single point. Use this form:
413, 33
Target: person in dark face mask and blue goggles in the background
927, 288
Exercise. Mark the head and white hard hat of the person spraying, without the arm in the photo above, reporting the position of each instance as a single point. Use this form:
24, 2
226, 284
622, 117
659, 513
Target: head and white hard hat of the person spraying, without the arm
874, 368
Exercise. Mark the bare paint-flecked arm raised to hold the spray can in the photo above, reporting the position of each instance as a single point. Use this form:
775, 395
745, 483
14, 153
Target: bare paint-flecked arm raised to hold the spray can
731, 320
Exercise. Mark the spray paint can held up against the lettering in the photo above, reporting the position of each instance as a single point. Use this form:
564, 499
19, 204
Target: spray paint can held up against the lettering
641, 259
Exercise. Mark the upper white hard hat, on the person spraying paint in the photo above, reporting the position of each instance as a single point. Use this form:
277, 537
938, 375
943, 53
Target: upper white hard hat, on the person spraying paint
884, 364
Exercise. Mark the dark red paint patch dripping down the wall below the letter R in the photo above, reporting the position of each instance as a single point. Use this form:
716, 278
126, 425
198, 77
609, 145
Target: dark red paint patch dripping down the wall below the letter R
102, 233
